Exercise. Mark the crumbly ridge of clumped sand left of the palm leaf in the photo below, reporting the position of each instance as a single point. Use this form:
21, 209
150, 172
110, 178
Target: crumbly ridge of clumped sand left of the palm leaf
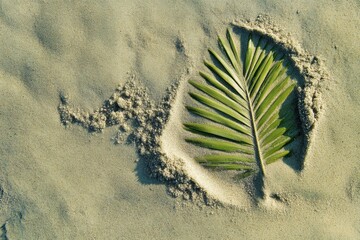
141, 122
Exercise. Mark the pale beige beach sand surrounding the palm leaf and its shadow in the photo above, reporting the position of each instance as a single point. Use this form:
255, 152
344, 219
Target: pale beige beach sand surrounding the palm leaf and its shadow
91, 99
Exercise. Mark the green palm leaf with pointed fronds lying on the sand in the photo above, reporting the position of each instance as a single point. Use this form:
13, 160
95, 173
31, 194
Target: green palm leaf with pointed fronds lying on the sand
249, 108
